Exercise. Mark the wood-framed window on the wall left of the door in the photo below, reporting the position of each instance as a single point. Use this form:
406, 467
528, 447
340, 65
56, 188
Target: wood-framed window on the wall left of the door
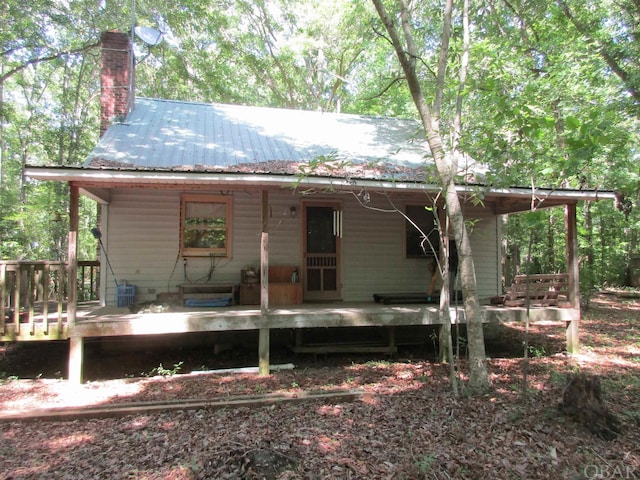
205, 226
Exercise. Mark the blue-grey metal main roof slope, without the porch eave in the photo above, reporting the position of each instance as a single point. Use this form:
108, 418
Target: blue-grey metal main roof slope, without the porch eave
179, 136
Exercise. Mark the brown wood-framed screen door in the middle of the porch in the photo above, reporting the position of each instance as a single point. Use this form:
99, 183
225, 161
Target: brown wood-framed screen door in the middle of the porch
323, 233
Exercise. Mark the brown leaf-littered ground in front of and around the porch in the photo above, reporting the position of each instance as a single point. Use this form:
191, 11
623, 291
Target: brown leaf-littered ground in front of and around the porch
408, 427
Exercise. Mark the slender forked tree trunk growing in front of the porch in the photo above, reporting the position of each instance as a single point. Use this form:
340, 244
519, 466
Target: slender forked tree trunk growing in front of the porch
400, 28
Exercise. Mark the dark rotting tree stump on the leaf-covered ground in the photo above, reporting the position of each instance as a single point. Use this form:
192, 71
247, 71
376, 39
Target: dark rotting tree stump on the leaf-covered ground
582, 400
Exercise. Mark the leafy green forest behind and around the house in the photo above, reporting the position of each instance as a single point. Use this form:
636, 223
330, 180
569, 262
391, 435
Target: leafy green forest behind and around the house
550, 98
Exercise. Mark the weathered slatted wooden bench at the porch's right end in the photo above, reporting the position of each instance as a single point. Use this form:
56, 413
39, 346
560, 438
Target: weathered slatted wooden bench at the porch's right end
539, 289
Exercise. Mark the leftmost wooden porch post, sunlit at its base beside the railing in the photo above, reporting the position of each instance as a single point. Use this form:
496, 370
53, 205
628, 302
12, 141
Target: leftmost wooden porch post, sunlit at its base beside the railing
76, 344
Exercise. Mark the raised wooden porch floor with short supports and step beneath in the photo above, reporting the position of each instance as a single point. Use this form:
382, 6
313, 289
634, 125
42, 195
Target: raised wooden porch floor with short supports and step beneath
93, 321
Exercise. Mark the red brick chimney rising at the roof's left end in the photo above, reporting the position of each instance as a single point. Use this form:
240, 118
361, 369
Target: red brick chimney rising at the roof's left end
117, 94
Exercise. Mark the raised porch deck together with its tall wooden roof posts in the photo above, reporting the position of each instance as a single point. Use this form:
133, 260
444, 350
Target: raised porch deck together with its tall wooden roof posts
76, 321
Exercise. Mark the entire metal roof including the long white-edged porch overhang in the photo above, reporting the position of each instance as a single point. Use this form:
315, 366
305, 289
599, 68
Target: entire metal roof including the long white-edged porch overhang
183, 143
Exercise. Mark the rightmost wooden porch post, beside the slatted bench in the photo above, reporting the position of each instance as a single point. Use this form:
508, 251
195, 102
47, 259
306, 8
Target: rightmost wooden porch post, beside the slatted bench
573, 341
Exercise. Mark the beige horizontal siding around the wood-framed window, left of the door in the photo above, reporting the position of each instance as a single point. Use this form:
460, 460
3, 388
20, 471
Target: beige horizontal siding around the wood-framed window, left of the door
143, 240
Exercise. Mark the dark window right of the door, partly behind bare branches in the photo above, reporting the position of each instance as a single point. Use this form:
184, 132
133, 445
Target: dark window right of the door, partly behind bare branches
416, 244
